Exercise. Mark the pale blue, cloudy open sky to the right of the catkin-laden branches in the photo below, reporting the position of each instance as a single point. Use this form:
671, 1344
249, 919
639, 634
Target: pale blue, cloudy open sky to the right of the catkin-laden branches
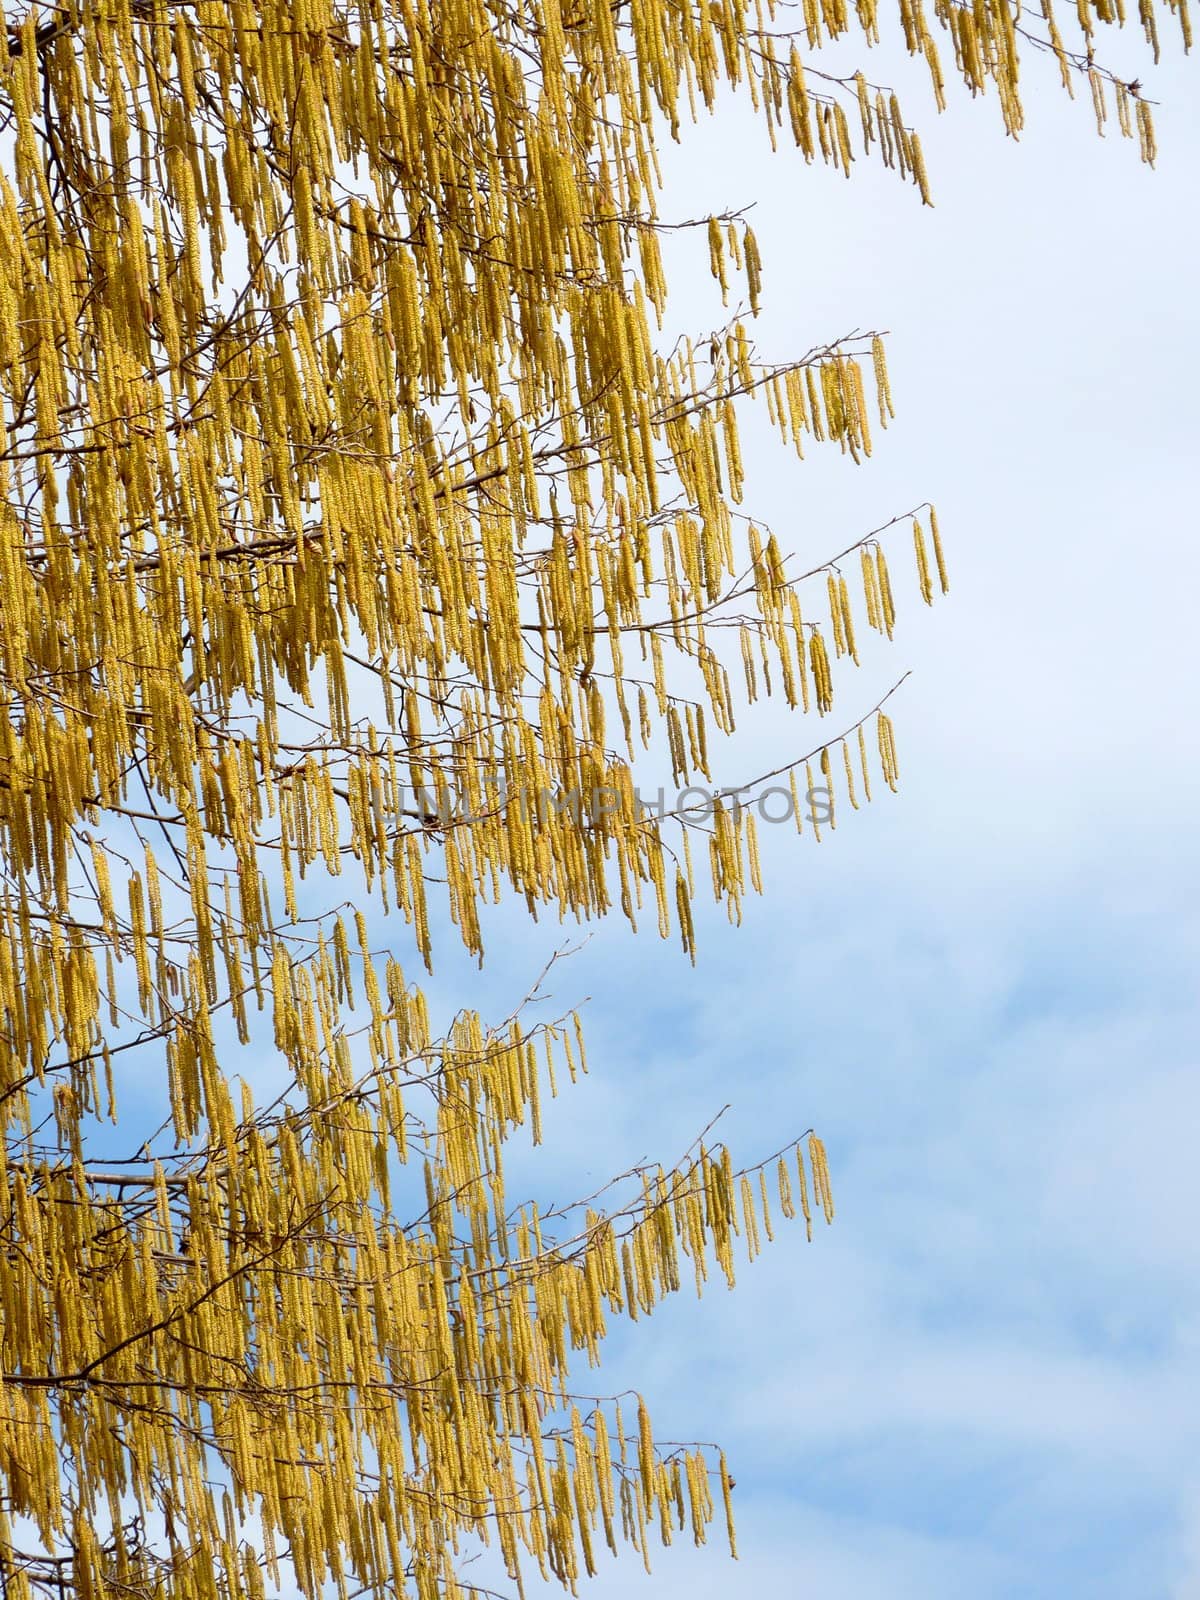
982, 1380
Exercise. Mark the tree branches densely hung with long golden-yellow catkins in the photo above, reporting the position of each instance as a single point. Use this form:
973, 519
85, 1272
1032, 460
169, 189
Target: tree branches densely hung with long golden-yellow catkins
359, 521
